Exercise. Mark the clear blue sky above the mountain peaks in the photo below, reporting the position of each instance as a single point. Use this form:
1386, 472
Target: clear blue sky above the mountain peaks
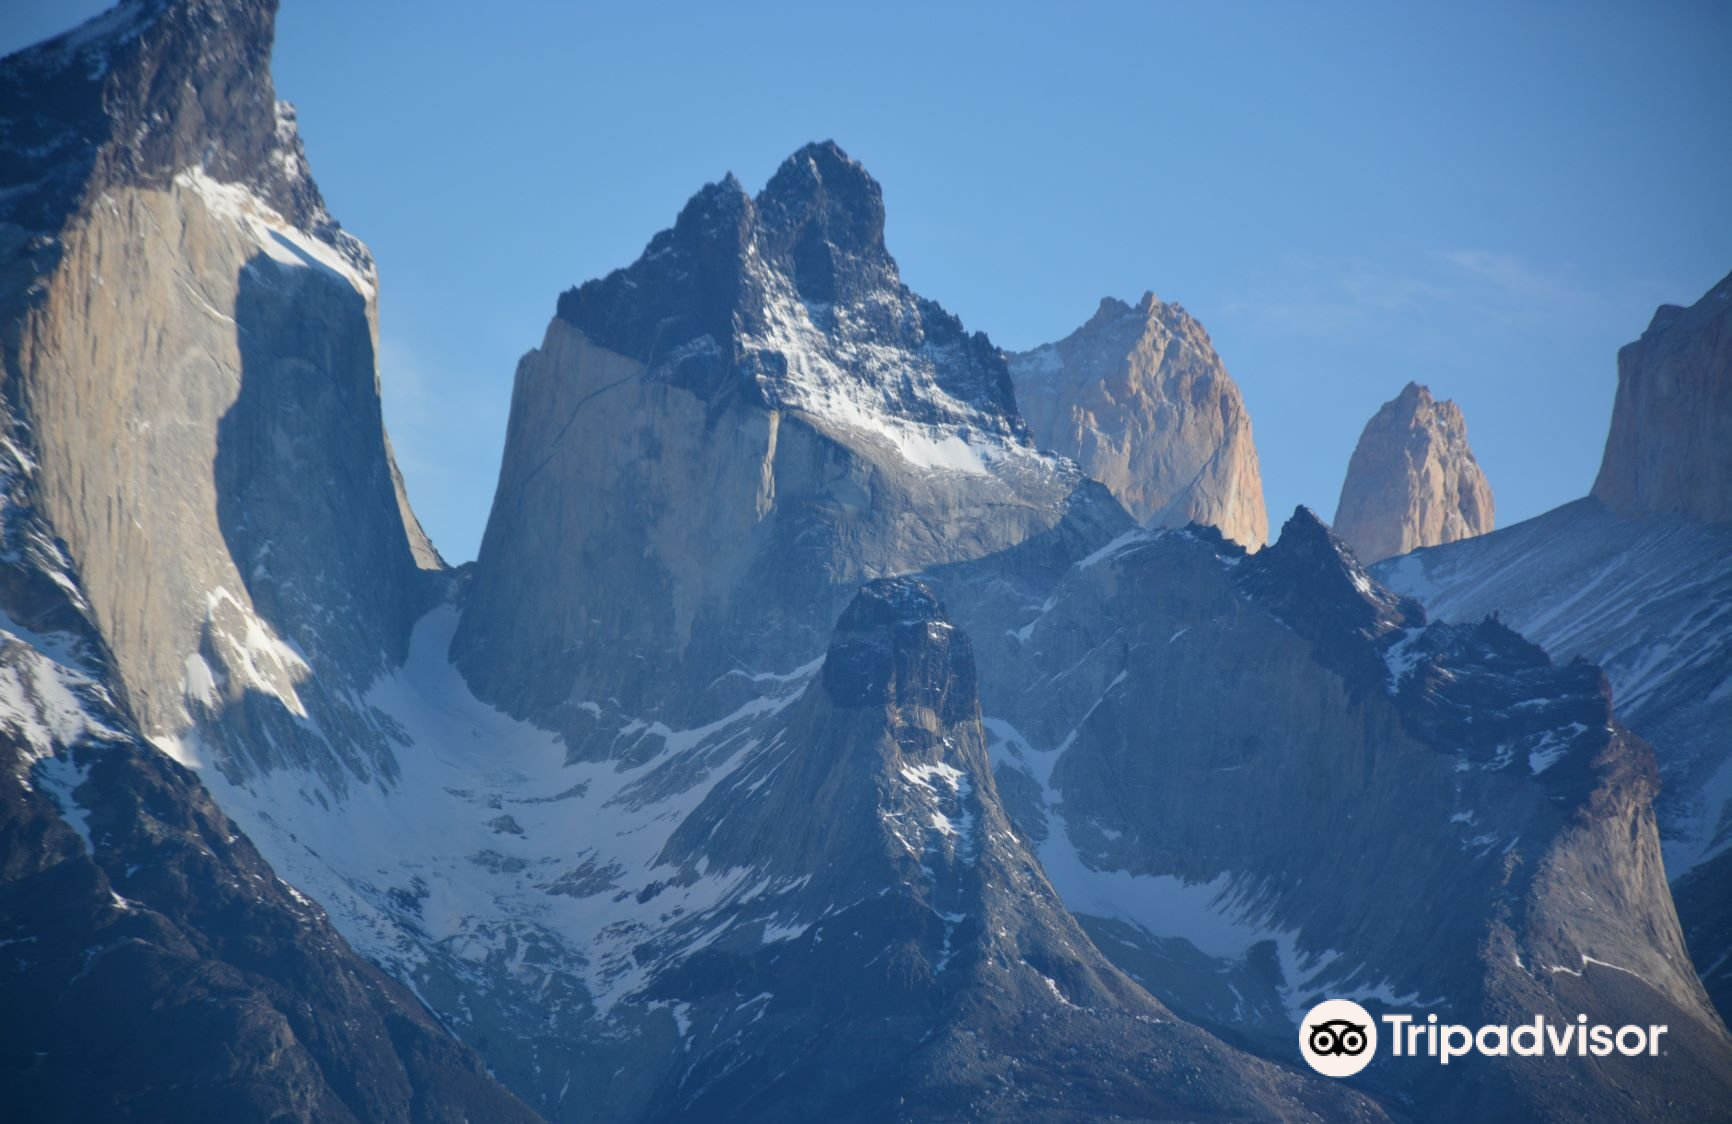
1483, 198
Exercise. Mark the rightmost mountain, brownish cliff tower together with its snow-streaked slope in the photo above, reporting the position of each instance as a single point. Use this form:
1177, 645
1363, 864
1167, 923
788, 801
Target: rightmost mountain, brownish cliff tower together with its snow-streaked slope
1638, 578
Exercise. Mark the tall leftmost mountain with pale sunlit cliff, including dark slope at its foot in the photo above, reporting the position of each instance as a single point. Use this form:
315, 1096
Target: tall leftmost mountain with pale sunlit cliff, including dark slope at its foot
200, 510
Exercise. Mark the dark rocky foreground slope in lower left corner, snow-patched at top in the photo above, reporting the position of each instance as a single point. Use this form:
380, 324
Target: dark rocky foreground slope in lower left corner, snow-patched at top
157, 967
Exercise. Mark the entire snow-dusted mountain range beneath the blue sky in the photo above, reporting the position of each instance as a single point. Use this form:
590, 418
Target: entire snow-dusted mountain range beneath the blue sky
844, 720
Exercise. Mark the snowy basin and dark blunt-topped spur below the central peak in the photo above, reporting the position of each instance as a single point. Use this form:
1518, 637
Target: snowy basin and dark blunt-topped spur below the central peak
813, 908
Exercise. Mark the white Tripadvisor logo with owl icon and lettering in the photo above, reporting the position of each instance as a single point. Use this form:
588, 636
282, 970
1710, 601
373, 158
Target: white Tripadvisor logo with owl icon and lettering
1340, 1038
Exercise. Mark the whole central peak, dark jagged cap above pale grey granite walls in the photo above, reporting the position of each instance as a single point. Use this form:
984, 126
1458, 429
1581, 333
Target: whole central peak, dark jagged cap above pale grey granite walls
716, 446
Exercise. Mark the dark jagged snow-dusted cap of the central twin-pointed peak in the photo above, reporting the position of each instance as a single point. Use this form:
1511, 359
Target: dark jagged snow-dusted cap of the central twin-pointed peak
792, 300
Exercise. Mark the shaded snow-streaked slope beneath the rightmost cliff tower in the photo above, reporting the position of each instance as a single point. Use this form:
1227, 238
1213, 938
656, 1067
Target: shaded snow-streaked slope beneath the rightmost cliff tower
1643, 598
